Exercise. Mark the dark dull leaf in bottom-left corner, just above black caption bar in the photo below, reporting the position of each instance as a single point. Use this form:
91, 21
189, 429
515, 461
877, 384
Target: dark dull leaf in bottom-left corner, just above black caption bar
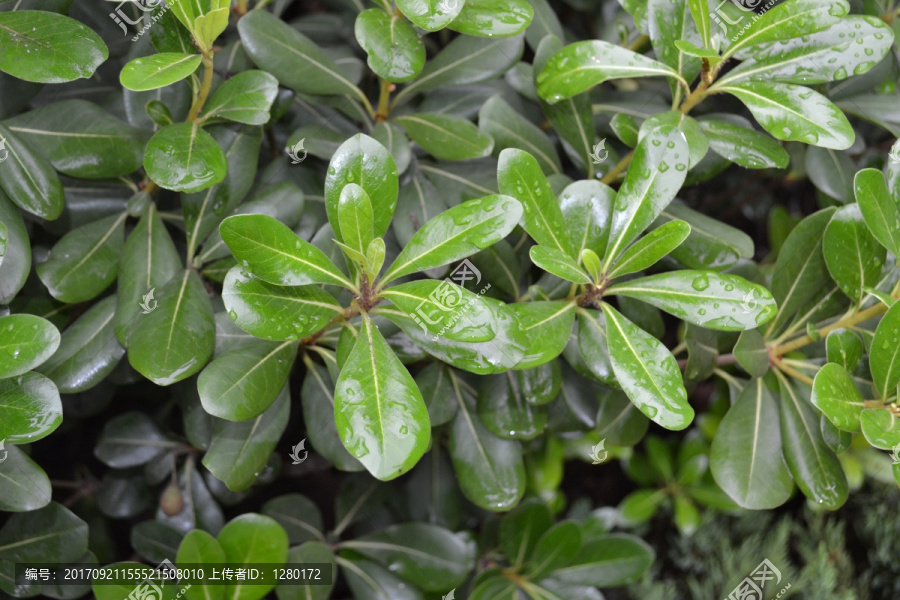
49, 533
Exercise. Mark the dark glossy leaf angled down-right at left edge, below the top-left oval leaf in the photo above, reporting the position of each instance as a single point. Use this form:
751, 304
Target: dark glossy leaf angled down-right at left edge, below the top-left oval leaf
29, 179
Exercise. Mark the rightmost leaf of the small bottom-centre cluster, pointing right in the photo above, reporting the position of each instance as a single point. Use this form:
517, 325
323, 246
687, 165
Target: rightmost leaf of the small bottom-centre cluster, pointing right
610, 560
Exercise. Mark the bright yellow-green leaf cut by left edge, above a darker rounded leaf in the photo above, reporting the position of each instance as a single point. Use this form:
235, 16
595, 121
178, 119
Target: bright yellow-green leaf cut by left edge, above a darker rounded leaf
27, 341
